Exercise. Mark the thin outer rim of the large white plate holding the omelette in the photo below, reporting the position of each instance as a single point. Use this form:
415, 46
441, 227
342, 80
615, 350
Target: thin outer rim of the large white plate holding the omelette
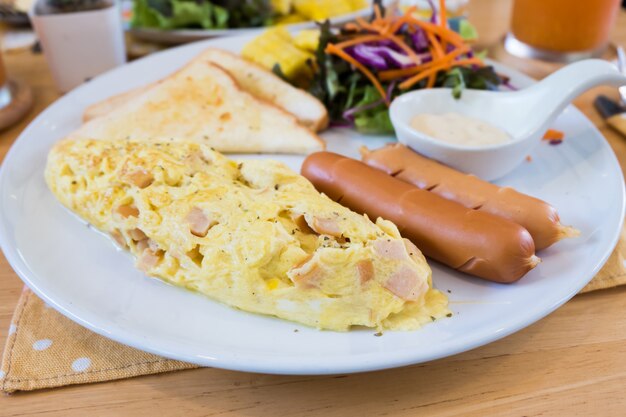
250, 365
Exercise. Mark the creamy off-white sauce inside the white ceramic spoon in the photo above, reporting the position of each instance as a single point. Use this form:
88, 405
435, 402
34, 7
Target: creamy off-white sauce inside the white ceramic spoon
457, 129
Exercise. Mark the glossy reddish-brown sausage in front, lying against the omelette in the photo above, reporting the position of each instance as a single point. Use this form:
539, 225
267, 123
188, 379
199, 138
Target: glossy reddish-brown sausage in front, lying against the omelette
470, 241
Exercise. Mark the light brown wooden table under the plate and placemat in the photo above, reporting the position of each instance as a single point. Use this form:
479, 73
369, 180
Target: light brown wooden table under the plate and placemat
573, 362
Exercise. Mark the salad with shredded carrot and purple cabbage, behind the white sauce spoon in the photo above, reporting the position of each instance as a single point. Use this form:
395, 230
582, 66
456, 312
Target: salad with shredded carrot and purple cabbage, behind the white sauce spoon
358, 70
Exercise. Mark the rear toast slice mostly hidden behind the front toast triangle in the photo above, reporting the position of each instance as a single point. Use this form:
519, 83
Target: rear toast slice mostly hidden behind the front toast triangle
251, 77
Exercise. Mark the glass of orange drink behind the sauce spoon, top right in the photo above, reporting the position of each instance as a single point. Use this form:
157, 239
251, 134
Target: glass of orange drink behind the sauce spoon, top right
561, 30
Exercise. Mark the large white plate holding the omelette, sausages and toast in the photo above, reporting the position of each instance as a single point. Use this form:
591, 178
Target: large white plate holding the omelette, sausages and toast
81, 274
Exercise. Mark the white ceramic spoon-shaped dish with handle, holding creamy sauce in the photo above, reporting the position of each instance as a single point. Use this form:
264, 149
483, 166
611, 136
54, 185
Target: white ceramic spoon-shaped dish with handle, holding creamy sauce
525, 115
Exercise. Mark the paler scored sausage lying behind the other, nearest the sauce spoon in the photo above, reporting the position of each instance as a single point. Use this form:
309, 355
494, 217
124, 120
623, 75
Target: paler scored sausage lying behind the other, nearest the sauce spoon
537, 216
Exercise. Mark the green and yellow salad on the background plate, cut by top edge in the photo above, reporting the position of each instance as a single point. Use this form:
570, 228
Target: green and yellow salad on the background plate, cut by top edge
223, 14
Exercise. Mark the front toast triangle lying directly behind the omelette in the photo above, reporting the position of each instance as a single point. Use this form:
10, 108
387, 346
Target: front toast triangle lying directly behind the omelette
202, 102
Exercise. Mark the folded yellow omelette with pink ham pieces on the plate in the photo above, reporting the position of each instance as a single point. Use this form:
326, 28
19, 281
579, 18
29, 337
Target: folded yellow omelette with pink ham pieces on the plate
254, 235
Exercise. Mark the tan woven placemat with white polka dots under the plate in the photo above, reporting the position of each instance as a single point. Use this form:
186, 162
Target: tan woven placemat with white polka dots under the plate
44, 349
